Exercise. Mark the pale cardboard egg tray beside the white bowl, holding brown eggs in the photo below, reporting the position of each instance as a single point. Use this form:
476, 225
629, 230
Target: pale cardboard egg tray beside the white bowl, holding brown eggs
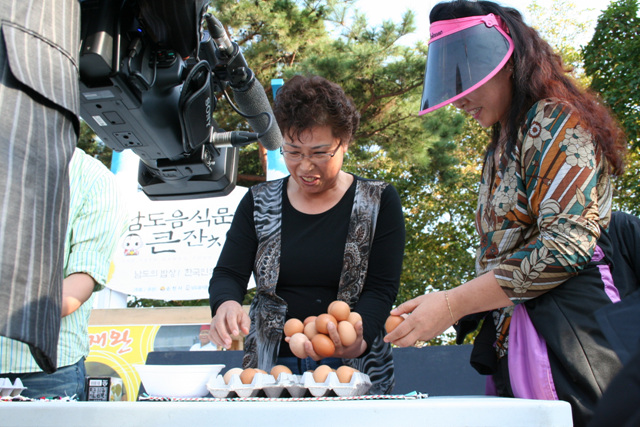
294, 385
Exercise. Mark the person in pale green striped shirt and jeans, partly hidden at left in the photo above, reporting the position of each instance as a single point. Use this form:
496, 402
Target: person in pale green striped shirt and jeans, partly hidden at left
97, 219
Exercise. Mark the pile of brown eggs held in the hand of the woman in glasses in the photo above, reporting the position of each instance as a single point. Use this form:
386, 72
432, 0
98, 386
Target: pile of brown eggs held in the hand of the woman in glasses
314, 329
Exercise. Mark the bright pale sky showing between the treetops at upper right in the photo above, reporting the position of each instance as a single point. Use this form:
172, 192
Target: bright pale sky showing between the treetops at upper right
379, 10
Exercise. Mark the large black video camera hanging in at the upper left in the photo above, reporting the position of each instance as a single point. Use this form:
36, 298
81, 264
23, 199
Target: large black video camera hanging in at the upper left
149, 74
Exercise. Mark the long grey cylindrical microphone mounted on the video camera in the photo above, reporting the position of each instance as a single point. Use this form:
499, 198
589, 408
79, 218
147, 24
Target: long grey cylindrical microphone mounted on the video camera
248, 93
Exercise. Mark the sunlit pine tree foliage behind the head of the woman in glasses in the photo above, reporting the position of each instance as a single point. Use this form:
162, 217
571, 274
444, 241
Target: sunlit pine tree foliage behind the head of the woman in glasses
283, 38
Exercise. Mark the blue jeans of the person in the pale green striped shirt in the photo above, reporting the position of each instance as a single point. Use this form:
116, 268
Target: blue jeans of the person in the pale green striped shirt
67, 381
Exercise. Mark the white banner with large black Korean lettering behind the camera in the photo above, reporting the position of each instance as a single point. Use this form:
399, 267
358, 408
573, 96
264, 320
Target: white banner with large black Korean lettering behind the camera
170, 248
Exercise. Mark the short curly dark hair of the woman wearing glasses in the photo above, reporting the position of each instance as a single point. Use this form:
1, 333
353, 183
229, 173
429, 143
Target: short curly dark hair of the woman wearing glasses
305, 102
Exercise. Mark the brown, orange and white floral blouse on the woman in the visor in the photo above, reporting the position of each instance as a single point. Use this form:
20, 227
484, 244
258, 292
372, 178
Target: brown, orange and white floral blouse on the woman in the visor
539, 213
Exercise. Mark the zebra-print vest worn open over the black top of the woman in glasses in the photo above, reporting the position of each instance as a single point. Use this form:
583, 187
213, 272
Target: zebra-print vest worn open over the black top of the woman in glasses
268, 310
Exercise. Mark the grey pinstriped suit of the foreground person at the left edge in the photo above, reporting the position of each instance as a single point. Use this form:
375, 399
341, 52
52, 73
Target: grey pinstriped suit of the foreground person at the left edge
39, 127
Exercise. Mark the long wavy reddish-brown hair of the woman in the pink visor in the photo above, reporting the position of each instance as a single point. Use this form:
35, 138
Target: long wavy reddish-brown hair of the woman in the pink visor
540, 73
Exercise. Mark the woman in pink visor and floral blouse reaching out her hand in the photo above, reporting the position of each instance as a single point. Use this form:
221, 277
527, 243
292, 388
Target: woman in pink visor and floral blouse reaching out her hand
544, 205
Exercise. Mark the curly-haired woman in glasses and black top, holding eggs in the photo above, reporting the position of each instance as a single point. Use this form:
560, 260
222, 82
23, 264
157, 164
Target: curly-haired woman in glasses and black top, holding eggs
316, 236
